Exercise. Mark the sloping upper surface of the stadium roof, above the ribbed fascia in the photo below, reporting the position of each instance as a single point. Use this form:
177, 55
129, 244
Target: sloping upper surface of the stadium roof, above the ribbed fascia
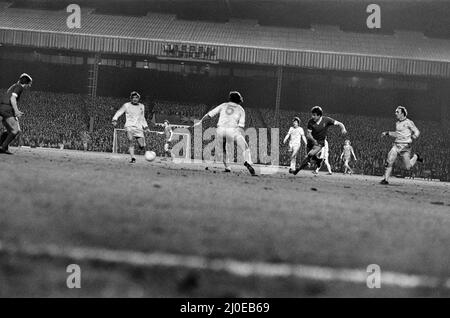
164, 27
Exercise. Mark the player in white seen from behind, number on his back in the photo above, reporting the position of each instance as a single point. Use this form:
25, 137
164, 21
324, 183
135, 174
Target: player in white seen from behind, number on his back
230, 128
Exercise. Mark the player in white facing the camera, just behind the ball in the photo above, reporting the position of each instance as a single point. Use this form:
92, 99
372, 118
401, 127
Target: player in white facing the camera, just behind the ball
135, 122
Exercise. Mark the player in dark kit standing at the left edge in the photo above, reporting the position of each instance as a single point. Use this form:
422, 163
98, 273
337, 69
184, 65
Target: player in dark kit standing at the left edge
10, 113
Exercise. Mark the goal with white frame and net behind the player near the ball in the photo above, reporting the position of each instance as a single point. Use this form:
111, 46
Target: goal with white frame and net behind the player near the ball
155, 142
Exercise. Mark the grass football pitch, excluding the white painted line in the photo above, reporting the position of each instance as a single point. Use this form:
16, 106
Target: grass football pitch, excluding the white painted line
98, 200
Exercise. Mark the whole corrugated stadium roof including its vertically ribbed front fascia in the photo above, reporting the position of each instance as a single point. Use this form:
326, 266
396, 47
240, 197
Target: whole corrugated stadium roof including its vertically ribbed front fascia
241, 41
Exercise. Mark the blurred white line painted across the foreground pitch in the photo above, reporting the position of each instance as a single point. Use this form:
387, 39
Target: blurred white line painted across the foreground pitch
230, 266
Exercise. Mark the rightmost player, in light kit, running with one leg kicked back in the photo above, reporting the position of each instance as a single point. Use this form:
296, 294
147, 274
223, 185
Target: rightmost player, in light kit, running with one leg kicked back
405, 132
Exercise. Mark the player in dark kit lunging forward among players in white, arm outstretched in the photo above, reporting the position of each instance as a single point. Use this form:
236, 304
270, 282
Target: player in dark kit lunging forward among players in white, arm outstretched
316, 134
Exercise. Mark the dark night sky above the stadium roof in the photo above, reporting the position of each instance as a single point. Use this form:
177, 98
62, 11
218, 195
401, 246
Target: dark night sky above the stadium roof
428, 16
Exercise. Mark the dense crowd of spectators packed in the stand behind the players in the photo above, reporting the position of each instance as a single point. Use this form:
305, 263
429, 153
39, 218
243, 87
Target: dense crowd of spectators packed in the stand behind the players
63, 121
